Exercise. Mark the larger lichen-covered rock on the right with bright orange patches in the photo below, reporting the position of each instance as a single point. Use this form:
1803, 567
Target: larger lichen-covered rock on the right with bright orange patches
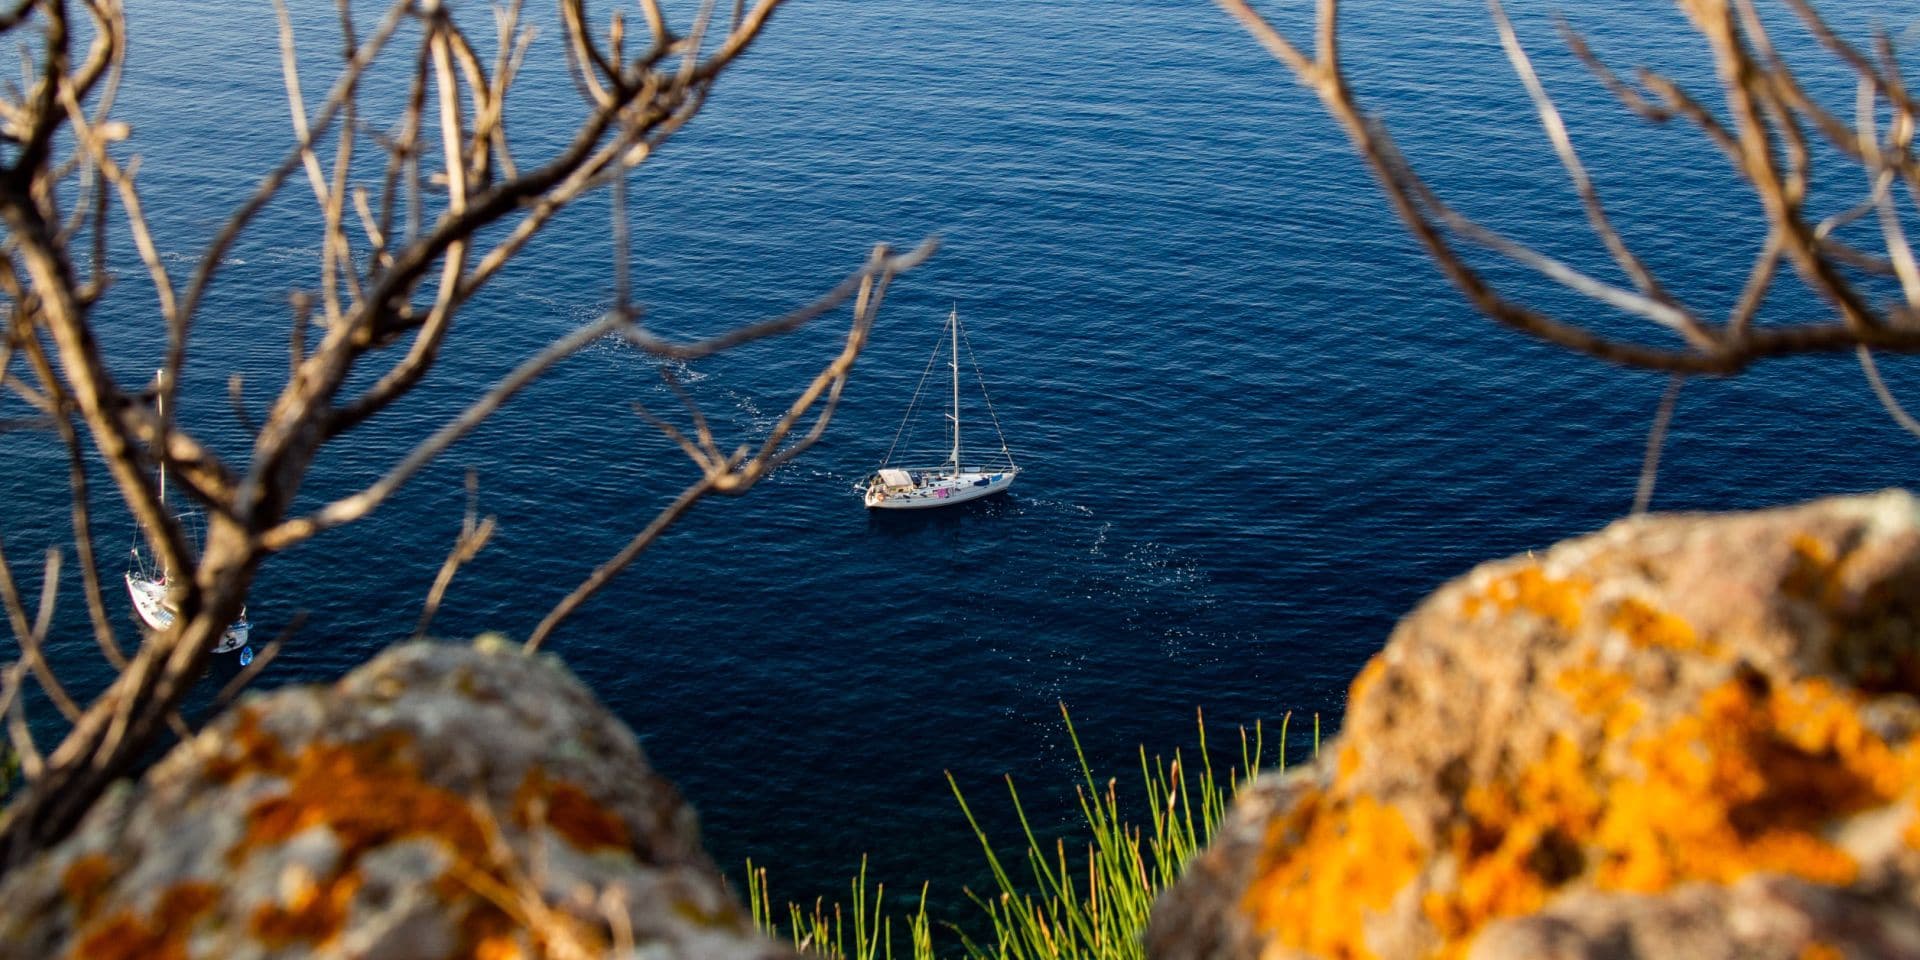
1683, 736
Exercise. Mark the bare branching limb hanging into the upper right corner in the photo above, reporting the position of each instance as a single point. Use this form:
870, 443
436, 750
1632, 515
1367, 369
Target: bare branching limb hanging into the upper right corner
1767, 149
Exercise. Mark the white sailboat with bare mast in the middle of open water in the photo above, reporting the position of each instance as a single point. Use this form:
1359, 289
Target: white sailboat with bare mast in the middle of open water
957, 481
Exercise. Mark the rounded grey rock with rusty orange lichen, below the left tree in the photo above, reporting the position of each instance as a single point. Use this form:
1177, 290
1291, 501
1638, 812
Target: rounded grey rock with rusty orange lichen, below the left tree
441, 802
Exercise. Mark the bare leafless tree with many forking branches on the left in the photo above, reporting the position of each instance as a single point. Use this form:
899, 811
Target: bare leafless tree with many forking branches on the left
398, 260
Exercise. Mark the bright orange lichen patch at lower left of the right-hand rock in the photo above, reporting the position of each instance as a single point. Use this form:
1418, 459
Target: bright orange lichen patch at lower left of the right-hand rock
1326, 869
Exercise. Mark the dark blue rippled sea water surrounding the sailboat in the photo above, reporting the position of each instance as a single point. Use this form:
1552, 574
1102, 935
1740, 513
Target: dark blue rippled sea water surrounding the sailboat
1257, 425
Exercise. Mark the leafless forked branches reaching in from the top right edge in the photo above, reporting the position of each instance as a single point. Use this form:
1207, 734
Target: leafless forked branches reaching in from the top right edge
1767, 145
